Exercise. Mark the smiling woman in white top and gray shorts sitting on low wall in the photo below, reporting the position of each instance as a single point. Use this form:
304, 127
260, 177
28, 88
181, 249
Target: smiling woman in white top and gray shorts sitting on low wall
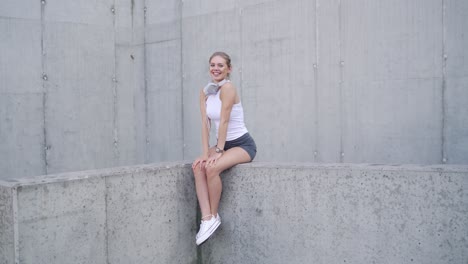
219, 102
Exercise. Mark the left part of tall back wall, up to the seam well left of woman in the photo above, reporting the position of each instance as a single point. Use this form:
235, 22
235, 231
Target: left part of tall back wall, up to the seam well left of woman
72, 85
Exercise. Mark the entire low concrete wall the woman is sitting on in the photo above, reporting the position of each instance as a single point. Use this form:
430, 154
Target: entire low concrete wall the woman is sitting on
271, 213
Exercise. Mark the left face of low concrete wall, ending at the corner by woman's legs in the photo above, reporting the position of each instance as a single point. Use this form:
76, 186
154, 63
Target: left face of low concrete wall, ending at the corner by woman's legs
142, 214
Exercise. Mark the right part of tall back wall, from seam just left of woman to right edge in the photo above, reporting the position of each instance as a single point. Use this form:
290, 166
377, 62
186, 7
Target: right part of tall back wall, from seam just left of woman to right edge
338, 81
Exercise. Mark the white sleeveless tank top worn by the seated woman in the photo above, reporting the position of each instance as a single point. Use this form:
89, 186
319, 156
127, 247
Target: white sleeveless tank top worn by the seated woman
236, 126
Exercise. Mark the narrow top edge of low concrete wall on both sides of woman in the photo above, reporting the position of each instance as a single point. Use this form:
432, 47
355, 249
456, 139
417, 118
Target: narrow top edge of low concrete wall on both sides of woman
116, 171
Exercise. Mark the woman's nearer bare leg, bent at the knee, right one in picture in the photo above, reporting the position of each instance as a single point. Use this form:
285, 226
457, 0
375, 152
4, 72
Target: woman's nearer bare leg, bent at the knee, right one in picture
230, 158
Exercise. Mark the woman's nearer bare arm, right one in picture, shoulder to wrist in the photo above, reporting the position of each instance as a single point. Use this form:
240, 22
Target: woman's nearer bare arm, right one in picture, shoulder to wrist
228, 98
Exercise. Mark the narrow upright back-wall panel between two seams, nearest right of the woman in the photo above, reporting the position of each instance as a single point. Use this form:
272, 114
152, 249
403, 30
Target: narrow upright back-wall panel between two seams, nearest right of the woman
327, 61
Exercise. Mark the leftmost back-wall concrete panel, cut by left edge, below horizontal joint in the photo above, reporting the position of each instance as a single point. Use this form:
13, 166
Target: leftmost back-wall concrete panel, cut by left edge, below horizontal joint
21, 99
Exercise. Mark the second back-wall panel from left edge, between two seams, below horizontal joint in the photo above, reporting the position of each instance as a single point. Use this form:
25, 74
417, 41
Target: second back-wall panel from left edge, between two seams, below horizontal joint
80, 64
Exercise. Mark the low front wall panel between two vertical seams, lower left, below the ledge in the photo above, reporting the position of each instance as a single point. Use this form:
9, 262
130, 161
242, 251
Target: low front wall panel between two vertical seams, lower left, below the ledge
63, 222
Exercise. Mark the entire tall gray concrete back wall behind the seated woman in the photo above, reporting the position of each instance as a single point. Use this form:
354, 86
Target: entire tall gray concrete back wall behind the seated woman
91, 84
